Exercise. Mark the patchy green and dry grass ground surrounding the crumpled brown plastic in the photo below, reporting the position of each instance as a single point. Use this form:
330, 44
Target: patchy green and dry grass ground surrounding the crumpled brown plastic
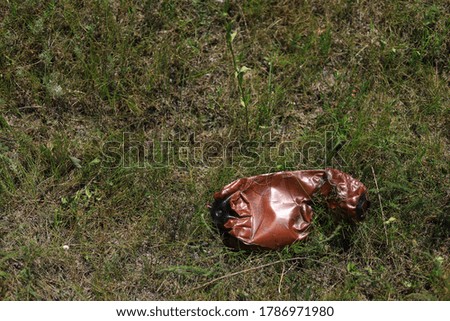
120, 119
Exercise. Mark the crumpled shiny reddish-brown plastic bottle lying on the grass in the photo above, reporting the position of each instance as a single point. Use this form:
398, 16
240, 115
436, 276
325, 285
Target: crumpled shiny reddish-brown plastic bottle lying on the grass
274, 210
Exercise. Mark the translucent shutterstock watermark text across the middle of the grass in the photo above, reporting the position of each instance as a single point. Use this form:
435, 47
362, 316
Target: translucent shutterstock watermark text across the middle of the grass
268, 151
